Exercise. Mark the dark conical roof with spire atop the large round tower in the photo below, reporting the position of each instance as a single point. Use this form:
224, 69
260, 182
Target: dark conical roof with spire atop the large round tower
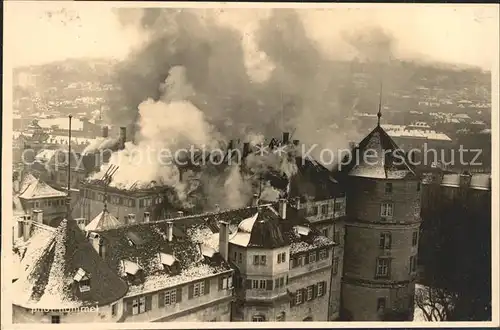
377, 157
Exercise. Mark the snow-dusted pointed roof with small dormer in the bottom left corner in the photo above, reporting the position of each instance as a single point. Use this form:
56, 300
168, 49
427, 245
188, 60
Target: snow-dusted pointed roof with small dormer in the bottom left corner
48, 278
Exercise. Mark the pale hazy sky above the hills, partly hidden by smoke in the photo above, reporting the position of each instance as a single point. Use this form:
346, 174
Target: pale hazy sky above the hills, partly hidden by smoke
37, 32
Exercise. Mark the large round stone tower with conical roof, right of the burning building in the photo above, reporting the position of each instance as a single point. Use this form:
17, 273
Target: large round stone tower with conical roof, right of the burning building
382, 231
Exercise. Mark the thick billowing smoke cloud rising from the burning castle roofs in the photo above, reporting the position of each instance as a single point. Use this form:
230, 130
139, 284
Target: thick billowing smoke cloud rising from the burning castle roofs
211, 95
